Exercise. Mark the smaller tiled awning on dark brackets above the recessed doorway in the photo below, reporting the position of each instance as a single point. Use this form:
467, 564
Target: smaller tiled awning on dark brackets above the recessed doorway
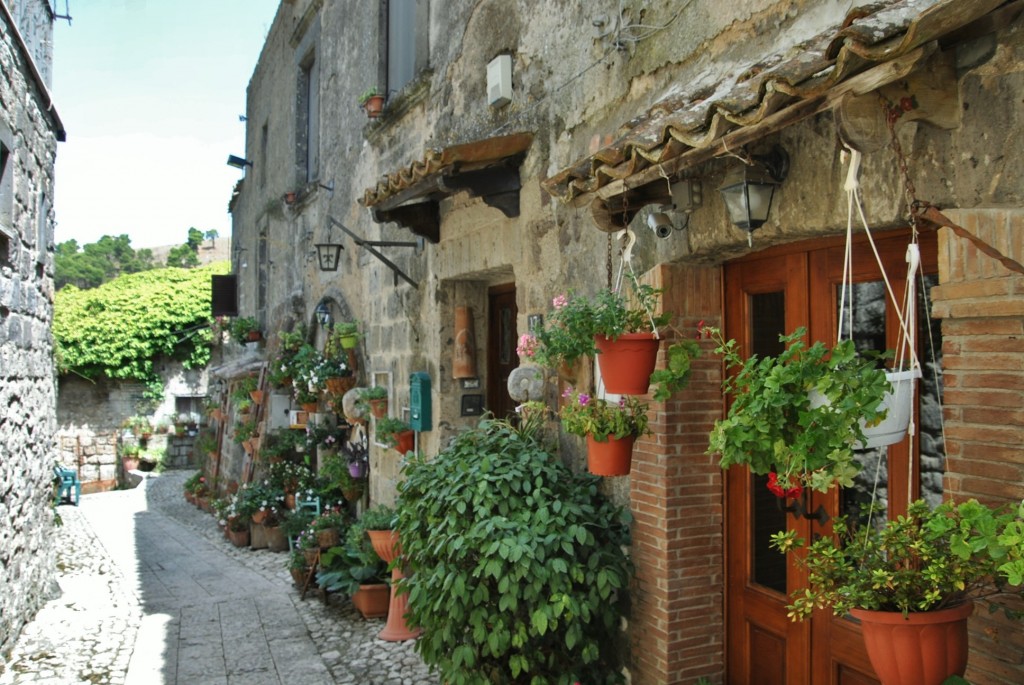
488, 169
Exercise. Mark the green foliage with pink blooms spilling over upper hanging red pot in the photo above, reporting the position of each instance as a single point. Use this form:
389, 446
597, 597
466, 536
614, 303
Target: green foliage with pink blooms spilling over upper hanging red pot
570, 330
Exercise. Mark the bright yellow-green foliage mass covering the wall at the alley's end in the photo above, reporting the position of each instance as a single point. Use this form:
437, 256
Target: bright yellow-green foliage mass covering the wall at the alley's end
120, 329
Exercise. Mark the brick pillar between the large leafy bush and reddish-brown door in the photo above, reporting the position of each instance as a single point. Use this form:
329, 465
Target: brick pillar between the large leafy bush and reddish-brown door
677, 624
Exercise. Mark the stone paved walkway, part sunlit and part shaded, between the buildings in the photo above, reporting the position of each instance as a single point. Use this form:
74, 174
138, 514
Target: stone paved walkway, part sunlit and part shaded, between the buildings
152, 593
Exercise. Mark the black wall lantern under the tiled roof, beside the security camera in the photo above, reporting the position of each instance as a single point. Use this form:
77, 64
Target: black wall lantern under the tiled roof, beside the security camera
748, 191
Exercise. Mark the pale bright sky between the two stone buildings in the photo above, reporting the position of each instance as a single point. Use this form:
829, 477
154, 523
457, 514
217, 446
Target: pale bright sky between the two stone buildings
151, 93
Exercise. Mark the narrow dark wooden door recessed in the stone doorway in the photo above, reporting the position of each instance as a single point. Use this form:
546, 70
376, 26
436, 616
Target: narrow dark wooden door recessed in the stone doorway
502, 358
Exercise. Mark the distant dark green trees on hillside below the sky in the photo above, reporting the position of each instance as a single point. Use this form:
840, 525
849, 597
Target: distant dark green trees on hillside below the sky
98, 263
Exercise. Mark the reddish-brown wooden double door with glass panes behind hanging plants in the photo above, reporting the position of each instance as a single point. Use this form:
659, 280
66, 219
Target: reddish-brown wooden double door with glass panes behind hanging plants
770, 294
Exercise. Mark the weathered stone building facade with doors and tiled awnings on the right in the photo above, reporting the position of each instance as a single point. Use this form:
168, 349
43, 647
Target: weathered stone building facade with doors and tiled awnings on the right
449, 201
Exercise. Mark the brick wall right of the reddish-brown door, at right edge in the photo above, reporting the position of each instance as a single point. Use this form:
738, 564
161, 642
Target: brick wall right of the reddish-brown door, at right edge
982, 305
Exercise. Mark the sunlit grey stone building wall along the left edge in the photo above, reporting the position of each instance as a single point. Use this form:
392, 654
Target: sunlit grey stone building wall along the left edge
30, 131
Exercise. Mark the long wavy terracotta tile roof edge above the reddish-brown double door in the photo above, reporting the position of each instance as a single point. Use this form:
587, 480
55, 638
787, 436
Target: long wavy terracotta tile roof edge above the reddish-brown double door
722, 100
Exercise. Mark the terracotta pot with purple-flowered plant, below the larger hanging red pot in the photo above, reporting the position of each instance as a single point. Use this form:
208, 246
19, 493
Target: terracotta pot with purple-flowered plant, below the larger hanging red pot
611, 430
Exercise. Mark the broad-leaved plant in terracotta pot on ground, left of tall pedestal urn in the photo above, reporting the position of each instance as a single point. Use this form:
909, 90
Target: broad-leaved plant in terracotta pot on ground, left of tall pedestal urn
358, 571
